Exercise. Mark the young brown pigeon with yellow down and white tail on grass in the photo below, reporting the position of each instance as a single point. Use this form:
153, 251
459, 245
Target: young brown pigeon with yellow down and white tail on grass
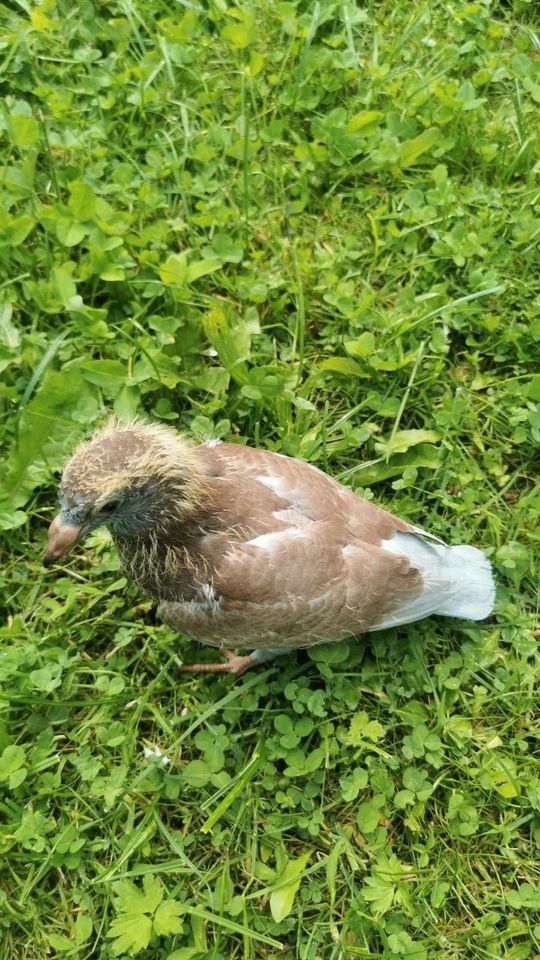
247, 548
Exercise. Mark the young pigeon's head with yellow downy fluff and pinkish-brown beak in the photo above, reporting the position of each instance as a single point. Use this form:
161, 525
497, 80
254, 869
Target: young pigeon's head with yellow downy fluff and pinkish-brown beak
134, 478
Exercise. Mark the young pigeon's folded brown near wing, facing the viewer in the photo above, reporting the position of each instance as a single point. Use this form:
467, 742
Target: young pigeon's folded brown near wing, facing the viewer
310, 585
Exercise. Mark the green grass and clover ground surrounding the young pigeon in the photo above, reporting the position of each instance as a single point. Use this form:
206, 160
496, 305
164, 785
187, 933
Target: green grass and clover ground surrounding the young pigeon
313, 227
